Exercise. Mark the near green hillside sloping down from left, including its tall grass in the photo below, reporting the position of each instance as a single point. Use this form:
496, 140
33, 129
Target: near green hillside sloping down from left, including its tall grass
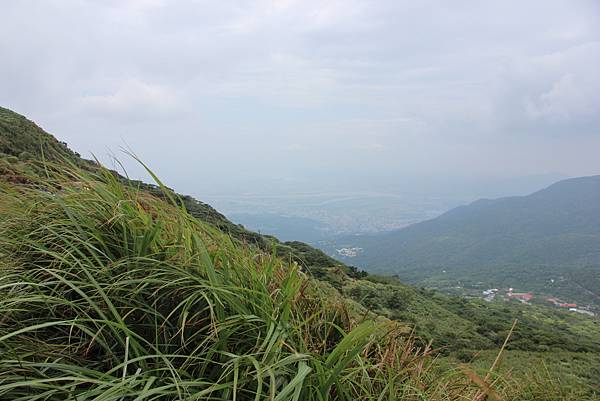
50, 213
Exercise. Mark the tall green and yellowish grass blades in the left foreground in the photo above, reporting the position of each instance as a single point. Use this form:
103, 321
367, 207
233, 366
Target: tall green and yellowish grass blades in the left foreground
108, 293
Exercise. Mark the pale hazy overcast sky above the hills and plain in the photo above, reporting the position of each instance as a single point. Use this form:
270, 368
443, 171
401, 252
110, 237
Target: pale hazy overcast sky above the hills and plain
303, 92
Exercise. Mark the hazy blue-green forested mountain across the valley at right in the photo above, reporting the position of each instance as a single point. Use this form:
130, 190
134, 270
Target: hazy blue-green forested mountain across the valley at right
548, 241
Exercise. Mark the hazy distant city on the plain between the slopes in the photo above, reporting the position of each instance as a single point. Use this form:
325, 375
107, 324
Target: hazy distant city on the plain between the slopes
319, 216
